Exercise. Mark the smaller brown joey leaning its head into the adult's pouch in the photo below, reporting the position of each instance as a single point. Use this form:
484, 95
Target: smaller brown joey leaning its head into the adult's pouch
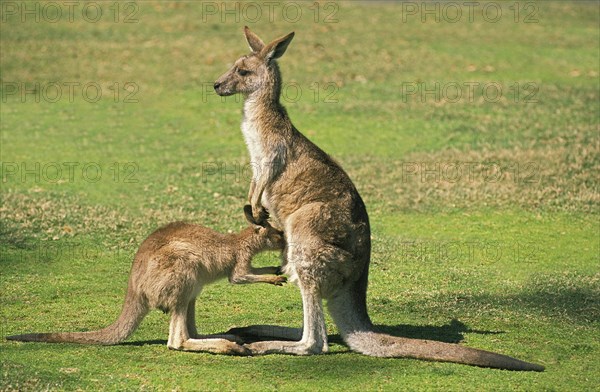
168, 272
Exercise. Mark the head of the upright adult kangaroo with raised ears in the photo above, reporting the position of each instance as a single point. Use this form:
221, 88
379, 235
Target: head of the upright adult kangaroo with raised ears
255, 71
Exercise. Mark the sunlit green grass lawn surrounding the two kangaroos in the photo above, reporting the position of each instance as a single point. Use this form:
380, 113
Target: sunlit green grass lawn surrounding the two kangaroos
507, 263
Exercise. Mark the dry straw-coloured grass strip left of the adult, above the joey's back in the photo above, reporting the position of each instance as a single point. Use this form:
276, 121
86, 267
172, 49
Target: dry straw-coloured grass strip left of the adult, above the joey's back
38, 215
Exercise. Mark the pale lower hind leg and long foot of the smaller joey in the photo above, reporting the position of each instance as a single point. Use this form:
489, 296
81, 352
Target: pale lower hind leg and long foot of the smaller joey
179, 338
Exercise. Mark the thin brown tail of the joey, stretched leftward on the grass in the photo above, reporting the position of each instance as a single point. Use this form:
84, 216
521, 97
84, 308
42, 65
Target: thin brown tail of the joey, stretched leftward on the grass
132, 314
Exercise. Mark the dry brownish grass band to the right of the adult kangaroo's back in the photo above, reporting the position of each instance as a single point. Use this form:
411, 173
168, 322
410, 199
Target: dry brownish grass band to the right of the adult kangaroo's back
558, 176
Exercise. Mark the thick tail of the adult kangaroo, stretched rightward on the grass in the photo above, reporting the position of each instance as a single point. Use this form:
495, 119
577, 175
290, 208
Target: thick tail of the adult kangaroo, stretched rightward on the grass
349, 311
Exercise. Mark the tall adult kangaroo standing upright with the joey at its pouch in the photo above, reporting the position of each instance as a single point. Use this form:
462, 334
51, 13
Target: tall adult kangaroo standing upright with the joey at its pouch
312, 199
